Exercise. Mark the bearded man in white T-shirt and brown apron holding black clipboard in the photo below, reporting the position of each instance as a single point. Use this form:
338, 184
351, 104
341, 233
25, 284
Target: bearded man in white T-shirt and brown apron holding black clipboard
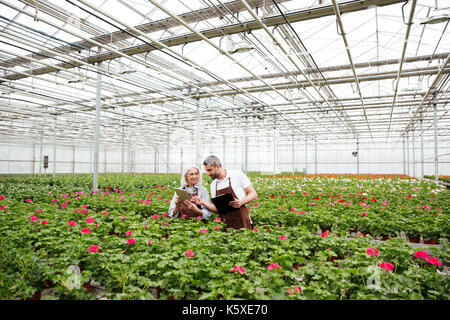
229, 181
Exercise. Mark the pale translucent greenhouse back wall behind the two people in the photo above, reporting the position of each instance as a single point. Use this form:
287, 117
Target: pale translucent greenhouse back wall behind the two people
376, 158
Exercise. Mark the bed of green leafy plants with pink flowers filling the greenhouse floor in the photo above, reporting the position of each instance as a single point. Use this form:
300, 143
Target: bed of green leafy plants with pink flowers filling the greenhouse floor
300, 248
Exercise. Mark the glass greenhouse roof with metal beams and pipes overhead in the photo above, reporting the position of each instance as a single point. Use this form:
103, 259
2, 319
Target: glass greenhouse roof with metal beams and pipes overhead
346, 70
